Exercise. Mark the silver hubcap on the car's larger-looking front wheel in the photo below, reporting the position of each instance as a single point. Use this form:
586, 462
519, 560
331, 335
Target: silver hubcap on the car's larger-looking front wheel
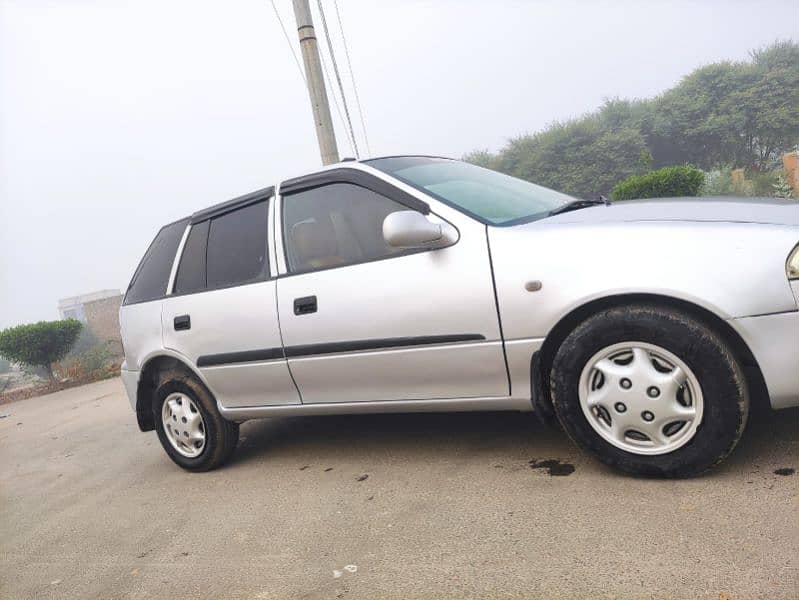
641, 398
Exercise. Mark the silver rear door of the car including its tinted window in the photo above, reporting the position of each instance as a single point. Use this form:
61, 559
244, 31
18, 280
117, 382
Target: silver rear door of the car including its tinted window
221, 314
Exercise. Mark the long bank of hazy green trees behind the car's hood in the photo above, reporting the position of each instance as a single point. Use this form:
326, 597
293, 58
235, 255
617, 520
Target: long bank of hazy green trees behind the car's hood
736, 114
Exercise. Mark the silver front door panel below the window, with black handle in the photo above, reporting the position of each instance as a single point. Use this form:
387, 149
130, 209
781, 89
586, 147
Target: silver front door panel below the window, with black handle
435, 293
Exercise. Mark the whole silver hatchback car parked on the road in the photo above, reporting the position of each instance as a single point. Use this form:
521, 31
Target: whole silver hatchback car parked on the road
647, 329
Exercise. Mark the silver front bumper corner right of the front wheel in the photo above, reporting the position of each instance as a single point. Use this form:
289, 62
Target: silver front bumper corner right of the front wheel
774, 341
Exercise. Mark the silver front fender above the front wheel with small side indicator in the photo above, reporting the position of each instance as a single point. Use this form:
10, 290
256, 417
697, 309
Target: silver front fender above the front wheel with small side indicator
733, 270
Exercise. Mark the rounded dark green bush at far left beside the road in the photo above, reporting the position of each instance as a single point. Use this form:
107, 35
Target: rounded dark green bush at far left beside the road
40, 344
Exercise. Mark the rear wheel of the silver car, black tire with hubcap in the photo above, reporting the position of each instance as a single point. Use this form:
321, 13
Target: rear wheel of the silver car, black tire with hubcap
195, 413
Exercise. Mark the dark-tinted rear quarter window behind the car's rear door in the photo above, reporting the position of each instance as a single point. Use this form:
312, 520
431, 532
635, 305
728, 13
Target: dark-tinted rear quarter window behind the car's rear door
151, 278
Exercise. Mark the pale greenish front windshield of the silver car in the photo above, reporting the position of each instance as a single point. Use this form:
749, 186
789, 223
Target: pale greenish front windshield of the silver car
486, 195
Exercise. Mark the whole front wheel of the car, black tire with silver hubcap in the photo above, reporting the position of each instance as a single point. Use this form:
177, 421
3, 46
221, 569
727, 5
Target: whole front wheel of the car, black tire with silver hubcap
608, 414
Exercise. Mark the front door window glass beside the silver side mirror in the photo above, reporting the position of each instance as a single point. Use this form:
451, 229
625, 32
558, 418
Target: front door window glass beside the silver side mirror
335, 225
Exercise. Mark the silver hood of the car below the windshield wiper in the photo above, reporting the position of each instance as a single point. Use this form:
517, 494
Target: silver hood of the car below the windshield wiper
731, 210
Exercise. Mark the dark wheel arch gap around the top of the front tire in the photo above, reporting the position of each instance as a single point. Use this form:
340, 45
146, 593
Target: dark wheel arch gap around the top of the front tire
542, 361
